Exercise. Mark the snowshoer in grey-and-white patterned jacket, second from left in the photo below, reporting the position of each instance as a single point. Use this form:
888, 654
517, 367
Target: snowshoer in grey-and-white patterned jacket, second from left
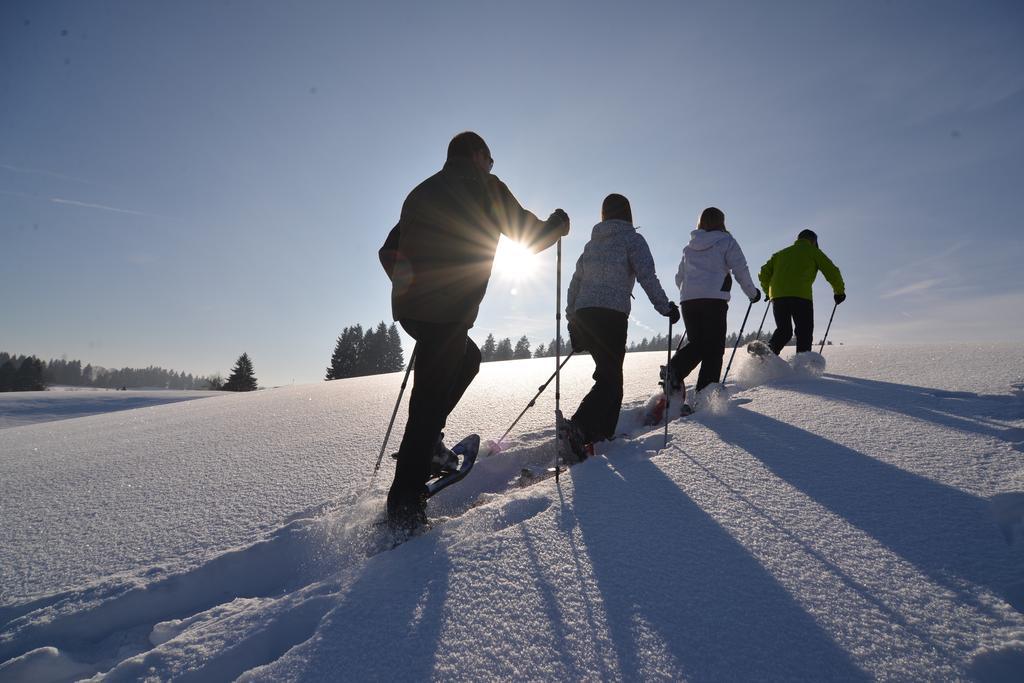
599, 308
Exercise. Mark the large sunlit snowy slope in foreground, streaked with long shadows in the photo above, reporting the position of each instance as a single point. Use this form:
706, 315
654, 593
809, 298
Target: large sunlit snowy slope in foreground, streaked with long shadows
867, 524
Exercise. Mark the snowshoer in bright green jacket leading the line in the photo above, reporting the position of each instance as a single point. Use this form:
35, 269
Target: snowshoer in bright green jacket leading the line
787, 280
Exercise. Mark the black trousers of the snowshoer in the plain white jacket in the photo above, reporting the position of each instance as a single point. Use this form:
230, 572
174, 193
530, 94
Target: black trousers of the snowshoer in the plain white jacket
705, 321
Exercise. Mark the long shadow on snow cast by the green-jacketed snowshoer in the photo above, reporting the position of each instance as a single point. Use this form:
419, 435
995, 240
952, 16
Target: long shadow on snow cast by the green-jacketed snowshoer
965, 411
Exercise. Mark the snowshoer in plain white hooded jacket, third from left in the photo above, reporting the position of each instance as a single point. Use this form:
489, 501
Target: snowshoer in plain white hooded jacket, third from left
705, 281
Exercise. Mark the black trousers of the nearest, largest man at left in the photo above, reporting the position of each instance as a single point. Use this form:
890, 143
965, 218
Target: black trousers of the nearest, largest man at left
447, 361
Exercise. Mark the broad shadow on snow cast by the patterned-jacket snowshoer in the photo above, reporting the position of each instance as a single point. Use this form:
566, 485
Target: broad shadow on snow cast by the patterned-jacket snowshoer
659, 558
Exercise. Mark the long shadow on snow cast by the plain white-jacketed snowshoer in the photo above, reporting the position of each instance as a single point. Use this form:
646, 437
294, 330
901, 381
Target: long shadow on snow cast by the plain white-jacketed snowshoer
948, 534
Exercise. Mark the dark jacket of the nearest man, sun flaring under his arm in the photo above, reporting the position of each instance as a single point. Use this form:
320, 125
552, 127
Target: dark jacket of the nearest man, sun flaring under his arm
441, 253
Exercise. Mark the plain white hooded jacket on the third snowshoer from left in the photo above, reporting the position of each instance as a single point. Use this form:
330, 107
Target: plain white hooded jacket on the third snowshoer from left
704, 272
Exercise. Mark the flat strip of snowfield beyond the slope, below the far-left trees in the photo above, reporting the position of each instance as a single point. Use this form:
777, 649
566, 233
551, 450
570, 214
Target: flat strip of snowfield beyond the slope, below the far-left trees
25, 408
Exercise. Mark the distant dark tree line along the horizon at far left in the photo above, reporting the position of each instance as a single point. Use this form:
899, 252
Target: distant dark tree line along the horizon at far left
22, 373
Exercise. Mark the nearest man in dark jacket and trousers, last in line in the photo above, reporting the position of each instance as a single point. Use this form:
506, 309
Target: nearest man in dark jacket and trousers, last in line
440, 259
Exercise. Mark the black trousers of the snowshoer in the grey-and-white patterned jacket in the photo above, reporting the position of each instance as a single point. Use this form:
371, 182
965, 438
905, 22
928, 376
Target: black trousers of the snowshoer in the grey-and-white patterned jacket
603, 332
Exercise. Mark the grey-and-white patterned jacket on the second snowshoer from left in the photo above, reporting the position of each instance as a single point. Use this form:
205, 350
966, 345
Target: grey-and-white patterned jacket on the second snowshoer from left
613, 262
